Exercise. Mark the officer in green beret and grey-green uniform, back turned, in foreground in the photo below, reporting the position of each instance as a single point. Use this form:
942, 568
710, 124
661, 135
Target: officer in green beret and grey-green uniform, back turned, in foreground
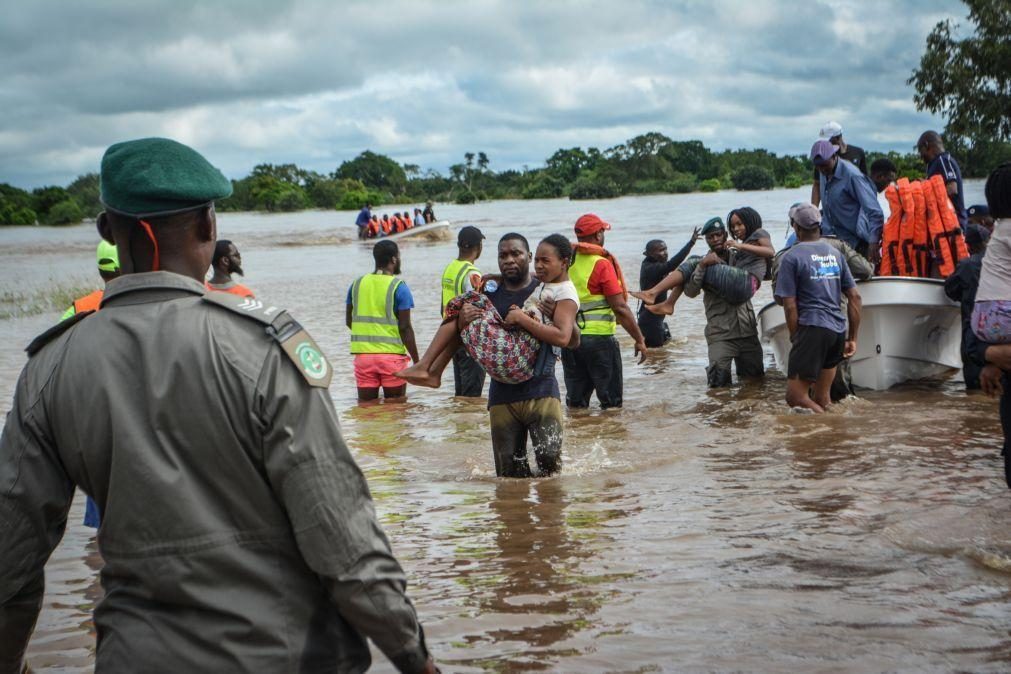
238, 533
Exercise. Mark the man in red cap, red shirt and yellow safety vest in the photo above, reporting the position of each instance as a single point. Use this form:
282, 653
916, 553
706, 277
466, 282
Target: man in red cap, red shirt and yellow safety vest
597, 363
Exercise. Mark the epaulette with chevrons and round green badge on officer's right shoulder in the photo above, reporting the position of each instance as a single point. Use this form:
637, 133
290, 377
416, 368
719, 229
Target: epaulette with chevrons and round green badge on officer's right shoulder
286, 331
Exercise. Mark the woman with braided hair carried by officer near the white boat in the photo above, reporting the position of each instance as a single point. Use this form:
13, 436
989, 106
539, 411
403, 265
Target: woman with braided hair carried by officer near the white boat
739, 281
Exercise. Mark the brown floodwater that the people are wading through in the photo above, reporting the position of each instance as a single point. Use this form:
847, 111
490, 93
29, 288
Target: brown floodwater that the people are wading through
691, 531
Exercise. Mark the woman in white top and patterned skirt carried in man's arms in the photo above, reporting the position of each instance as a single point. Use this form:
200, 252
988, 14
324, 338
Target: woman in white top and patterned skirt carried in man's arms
508, 348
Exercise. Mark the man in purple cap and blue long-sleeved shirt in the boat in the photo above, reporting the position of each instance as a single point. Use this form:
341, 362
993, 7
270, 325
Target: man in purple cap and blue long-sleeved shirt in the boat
850, 203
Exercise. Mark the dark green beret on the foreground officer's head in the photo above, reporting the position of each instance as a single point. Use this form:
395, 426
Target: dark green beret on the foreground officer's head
158, 177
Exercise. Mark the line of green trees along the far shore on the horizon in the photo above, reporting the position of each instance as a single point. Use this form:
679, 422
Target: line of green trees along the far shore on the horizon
648, 164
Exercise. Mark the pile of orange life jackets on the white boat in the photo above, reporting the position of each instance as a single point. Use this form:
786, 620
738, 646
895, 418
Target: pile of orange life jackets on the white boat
923, 231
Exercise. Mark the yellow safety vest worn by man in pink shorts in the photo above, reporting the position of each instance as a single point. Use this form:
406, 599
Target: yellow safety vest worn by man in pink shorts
375, 328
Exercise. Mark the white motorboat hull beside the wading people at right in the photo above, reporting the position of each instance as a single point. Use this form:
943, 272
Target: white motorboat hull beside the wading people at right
909, 331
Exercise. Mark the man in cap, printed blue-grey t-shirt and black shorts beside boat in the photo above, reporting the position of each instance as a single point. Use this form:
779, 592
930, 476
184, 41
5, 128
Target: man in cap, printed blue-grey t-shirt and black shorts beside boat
813, 277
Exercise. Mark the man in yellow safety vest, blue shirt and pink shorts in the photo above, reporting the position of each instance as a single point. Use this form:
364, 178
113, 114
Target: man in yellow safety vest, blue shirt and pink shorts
382, 336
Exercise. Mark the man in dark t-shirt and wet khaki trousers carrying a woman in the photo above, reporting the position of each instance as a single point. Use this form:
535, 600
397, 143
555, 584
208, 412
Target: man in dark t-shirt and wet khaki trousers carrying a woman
534, 408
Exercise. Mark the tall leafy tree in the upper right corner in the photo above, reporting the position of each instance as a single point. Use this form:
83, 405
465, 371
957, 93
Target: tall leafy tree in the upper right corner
969, 80
